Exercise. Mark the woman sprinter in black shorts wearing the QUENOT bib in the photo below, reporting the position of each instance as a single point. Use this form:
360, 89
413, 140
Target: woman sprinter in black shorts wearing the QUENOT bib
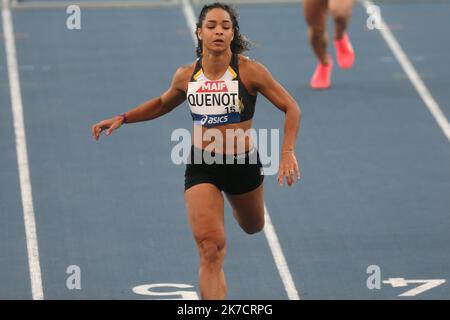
232, 82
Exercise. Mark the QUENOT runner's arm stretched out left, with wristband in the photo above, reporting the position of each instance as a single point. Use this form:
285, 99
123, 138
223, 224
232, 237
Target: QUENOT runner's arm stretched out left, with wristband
150, 109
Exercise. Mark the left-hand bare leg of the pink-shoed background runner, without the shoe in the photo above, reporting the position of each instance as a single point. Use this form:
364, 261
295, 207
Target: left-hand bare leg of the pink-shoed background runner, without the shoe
315, 12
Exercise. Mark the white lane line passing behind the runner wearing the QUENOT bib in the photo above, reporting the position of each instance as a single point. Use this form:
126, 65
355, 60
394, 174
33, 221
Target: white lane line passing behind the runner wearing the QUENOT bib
269, 230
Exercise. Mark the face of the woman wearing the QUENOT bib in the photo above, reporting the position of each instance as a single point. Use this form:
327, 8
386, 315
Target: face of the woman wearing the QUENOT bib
216, 31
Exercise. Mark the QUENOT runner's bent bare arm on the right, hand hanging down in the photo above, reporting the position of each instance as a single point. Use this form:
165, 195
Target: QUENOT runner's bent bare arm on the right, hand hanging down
263, 82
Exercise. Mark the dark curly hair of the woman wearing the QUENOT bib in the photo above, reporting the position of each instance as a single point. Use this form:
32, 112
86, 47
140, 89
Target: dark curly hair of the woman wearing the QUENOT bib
239, 43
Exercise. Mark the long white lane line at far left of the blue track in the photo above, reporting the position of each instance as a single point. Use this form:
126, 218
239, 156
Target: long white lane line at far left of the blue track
22, 156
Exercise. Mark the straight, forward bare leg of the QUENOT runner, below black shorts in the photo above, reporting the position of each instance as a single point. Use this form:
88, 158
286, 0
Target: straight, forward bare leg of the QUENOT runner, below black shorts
205, 207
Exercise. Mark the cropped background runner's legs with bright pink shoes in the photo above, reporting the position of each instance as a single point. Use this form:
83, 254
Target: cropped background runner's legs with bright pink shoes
316, 12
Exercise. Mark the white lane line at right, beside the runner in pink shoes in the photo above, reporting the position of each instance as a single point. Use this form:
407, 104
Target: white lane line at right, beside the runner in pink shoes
412, 74
